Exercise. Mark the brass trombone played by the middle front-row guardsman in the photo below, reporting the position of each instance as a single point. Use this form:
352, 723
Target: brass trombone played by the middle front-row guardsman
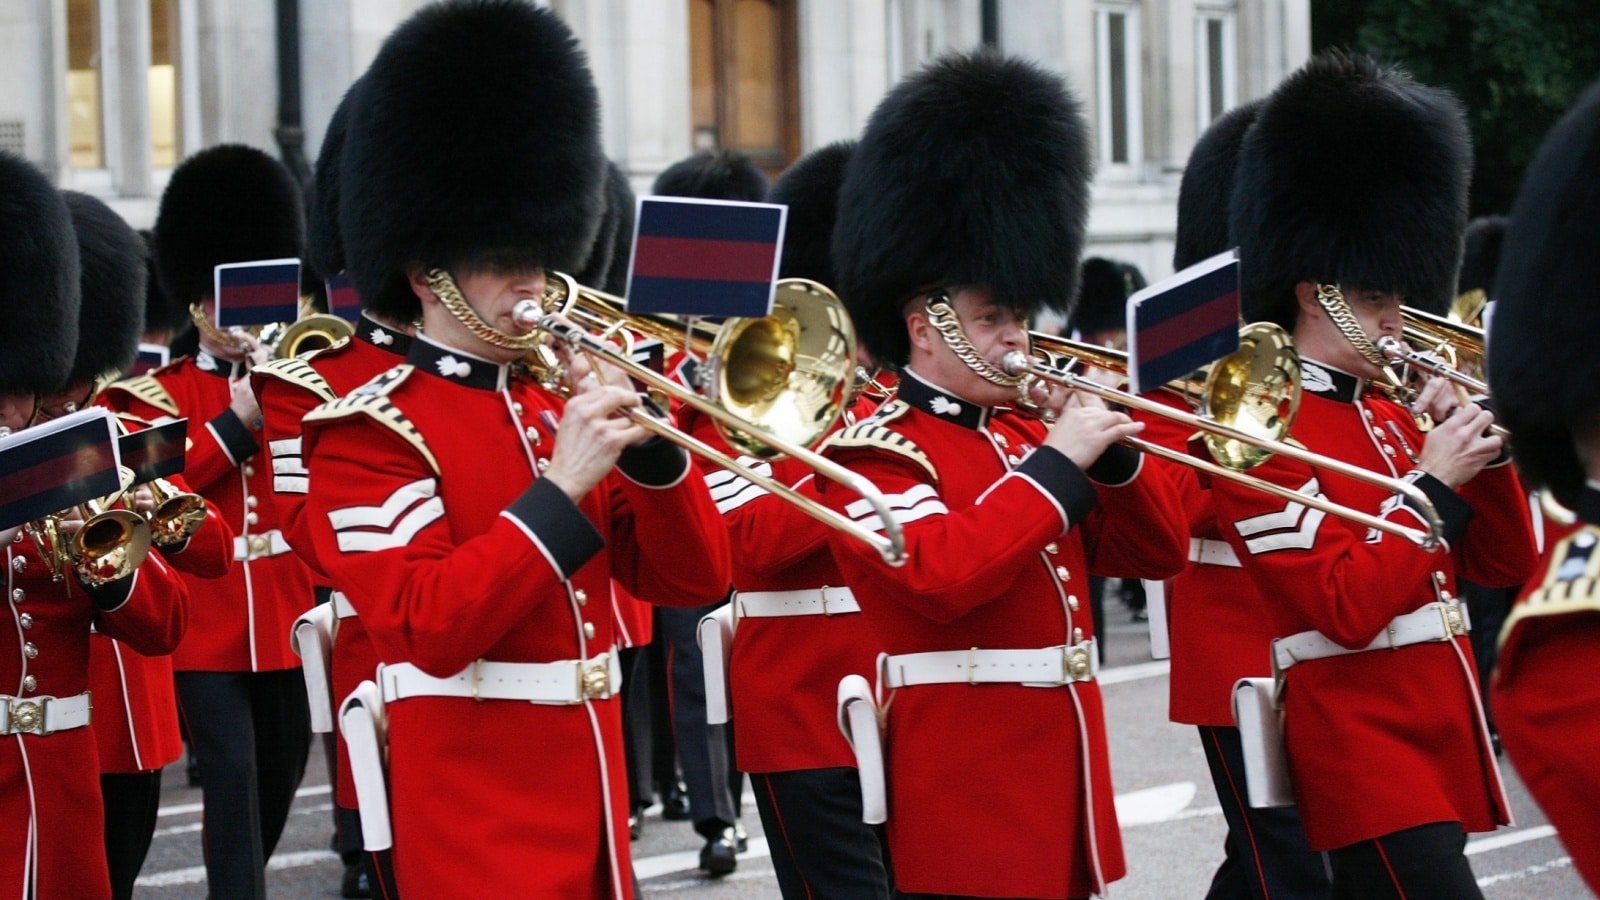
1244, 420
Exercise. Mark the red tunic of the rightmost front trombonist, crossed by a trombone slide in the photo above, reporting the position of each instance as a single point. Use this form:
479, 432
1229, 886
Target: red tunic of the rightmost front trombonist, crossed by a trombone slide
1378, 742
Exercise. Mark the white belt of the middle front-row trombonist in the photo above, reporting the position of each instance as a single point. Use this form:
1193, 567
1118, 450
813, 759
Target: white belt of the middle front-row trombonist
1047, 667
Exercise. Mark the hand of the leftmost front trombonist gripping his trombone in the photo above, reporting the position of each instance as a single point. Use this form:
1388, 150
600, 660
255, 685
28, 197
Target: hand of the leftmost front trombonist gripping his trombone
593, 435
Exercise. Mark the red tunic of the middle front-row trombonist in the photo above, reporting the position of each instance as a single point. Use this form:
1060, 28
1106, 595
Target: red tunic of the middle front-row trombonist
996, 790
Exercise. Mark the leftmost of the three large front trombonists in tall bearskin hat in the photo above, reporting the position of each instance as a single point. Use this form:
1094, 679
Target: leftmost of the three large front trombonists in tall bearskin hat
474, 520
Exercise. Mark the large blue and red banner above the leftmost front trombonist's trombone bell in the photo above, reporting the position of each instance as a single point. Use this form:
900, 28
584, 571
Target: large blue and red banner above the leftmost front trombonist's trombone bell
705, 257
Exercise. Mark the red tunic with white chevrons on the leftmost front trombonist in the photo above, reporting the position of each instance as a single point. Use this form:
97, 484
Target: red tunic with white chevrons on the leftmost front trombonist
450, 556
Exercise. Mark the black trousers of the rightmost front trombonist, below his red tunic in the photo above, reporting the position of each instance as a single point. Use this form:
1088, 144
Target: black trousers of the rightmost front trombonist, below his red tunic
1420, 864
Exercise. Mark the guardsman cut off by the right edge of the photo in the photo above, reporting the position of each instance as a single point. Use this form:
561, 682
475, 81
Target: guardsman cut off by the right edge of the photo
1543, 382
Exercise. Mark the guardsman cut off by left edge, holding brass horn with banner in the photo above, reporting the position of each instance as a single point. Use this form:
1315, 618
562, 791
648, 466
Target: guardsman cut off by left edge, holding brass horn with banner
50, 792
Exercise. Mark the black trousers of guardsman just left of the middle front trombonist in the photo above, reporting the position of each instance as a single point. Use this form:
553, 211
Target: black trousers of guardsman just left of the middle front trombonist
818, 842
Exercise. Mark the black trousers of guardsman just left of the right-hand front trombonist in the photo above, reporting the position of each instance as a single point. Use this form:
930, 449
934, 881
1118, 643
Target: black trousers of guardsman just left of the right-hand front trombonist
1266, 856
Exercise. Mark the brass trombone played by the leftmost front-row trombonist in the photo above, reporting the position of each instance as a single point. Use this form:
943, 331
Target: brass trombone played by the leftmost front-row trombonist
775, 385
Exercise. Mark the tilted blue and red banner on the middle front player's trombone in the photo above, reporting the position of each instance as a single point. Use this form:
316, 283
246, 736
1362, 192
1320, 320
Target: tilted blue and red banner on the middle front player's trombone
1183, 323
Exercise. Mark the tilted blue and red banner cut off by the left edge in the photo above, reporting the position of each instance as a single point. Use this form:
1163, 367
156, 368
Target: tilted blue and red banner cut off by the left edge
58, 465
